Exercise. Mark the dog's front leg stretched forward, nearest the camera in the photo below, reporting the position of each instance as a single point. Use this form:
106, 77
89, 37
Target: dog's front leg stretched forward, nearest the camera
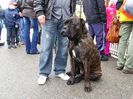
87, 86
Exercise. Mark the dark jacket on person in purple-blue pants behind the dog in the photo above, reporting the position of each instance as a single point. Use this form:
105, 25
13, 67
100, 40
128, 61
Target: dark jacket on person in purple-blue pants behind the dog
94, 11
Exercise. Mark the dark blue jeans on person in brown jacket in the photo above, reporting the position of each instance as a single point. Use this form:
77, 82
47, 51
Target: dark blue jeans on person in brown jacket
31, 46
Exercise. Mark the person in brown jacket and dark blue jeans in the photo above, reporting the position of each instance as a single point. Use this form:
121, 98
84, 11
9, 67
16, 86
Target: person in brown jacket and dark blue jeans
30, 20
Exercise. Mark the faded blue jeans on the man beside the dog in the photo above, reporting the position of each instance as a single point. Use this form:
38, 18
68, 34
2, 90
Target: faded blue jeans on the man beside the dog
50, 31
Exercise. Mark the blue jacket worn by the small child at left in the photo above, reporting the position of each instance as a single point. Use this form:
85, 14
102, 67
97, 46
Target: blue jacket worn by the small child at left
10, 16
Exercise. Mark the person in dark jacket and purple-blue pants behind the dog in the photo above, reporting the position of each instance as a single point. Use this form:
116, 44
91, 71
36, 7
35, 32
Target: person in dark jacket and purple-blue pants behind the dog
96, 17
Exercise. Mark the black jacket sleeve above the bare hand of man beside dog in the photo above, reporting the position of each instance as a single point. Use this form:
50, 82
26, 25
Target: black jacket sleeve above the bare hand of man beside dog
39, 7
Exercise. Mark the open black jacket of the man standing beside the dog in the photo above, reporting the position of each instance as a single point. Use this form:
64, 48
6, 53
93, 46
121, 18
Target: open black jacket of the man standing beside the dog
42, 9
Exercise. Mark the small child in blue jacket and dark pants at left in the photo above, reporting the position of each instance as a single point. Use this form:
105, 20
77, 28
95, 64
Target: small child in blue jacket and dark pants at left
9, 19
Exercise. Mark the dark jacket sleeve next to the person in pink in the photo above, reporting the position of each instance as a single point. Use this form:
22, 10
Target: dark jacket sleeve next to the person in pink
102, 10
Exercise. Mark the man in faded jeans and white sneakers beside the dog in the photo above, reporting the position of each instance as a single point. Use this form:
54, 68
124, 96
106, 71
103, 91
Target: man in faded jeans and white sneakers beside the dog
52, 24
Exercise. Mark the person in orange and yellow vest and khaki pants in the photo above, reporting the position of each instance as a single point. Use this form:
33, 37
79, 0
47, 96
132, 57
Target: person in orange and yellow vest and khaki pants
125, 62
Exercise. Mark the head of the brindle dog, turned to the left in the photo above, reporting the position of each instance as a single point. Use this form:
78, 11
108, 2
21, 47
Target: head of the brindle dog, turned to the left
74, 28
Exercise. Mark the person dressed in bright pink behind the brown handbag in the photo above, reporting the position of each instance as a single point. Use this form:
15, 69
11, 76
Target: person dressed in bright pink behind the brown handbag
110, 14
